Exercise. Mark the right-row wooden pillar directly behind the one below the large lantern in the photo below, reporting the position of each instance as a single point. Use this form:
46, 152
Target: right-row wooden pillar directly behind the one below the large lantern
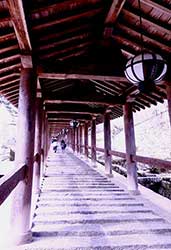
107, 144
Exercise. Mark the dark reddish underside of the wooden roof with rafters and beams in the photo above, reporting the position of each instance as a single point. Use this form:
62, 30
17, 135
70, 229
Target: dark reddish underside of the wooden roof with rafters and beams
79, 60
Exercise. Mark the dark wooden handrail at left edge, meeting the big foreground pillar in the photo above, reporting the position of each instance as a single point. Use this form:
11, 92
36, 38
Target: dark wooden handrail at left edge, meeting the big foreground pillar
10, 181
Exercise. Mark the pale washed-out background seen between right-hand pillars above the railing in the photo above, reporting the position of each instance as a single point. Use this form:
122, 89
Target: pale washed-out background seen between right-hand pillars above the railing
152, 132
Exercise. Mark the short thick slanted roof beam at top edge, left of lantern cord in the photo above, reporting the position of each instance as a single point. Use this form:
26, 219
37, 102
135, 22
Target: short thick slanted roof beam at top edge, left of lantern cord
114, 11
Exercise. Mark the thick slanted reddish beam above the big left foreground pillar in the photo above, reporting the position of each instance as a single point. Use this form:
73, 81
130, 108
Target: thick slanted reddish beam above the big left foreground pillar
19, 22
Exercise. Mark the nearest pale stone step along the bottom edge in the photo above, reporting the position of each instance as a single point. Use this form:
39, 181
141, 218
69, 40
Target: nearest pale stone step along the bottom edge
117, 242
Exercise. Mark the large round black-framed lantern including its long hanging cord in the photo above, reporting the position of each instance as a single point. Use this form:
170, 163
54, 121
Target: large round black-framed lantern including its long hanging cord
146, 69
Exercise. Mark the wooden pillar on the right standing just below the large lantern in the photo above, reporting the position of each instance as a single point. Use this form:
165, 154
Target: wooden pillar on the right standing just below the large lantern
130, 148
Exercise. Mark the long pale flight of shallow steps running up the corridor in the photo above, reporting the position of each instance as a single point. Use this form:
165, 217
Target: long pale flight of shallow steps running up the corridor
80, 209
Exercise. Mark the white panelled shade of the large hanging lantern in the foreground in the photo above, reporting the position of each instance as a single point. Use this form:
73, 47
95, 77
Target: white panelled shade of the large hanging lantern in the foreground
145, 67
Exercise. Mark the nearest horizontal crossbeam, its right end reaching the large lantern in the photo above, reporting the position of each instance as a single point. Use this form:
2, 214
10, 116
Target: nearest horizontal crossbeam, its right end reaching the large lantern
81, 77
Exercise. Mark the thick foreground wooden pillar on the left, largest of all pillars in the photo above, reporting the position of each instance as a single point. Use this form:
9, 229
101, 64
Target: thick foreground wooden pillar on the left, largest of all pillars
21, 206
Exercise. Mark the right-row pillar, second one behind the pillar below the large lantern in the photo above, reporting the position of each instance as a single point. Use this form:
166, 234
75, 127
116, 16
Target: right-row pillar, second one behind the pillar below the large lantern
93, 141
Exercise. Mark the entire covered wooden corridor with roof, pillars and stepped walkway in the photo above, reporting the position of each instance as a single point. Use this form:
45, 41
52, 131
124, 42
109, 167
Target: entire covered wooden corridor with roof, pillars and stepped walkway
63, 61
